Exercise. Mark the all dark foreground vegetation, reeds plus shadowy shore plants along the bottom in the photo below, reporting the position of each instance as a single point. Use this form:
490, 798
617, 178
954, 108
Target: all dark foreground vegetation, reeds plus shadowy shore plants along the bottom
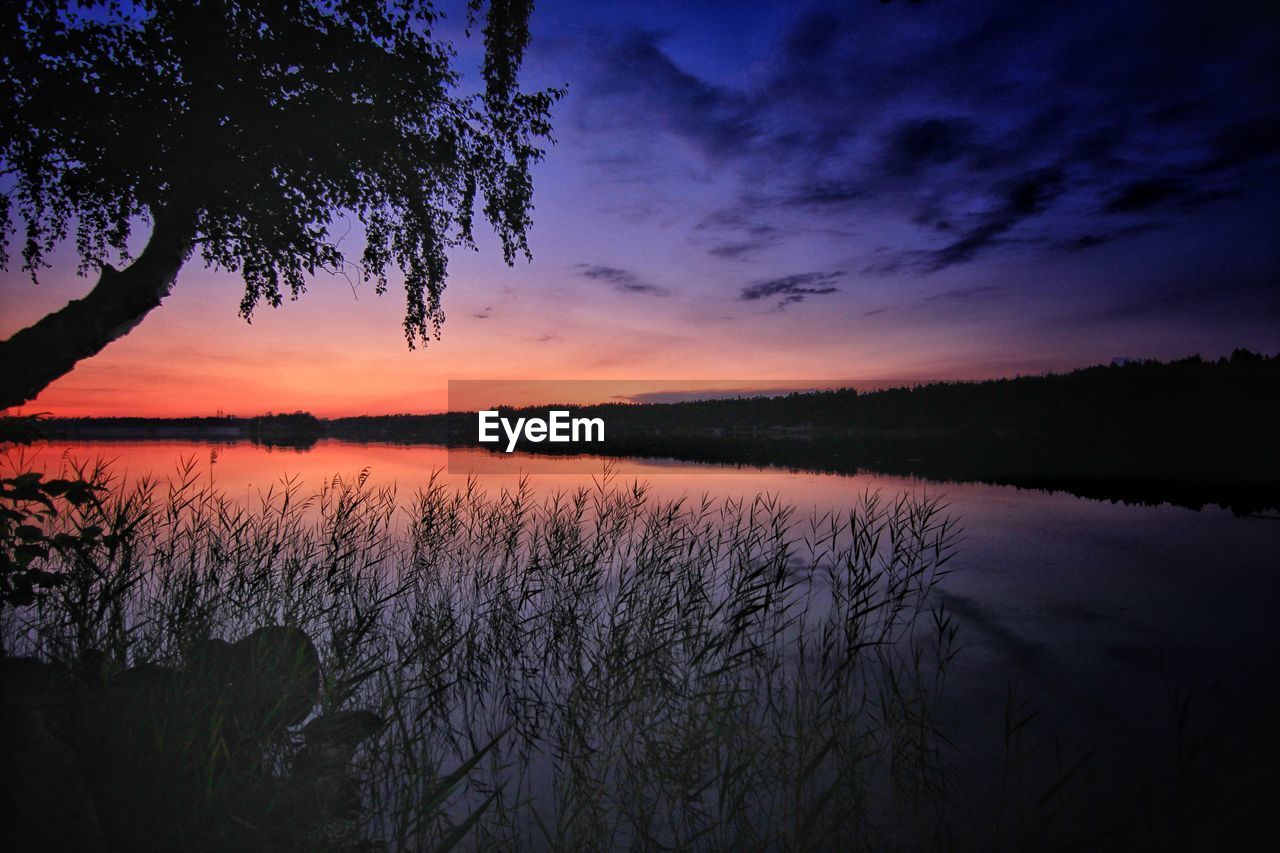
582, 670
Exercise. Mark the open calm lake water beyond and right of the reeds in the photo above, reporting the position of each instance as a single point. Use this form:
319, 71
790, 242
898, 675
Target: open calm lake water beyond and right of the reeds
1096, 610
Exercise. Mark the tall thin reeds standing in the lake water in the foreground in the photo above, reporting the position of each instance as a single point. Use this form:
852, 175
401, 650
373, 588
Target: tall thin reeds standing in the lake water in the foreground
583, 669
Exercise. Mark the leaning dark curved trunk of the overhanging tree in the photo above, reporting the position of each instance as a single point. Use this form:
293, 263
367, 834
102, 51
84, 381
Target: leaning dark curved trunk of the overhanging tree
38, 355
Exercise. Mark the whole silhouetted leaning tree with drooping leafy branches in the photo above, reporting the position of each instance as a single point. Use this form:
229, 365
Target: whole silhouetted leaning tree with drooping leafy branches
241, 131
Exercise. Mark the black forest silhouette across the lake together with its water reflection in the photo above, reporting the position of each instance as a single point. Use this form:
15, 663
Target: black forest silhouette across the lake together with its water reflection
1190, 432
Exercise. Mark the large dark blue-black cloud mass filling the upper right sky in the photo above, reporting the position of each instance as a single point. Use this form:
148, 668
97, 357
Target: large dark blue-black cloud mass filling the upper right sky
972, 121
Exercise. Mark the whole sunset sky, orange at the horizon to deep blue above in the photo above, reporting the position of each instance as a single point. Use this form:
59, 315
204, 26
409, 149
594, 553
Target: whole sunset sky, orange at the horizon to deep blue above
753, 193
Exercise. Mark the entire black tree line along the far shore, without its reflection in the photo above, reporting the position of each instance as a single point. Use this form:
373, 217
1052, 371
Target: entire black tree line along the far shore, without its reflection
1192, 395
